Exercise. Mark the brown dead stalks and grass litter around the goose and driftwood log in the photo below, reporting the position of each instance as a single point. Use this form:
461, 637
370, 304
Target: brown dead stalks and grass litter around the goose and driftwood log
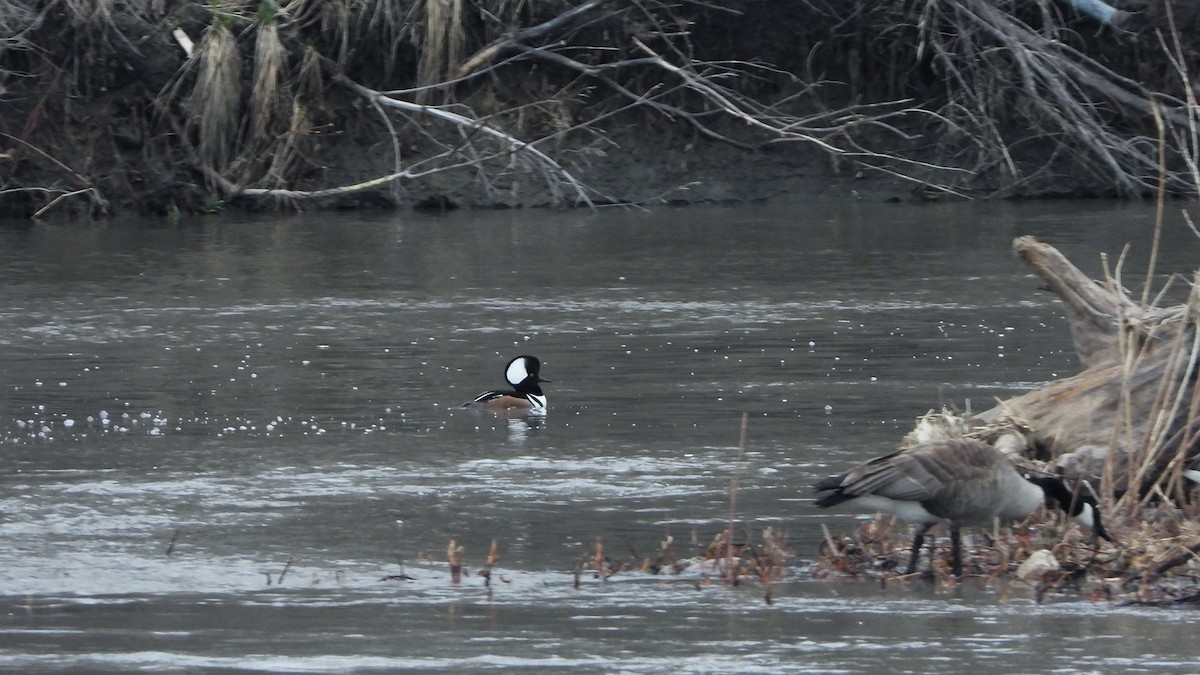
1147, 504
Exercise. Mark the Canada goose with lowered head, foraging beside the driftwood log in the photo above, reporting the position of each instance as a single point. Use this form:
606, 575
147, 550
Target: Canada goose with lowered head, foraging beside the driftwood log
961, 482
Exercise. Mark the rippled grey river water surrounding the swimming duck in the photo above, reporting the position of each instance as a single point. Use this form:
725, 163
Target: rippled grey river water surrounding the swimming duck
235, 444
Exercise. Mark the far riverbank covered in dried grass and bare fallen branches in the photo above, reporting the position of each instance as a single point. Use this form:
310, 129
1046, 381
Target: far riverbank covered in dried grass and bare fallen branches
166, 106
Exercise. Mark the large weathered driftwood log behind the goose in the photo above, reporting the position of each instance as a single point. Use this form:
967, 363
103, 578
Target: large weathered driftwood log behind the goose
1130, 421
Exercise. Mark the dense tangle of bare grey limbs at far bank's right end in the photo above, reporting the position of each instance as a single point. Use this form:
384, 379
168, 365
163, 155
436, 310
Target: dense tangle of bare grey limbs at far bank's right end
1069, 98
